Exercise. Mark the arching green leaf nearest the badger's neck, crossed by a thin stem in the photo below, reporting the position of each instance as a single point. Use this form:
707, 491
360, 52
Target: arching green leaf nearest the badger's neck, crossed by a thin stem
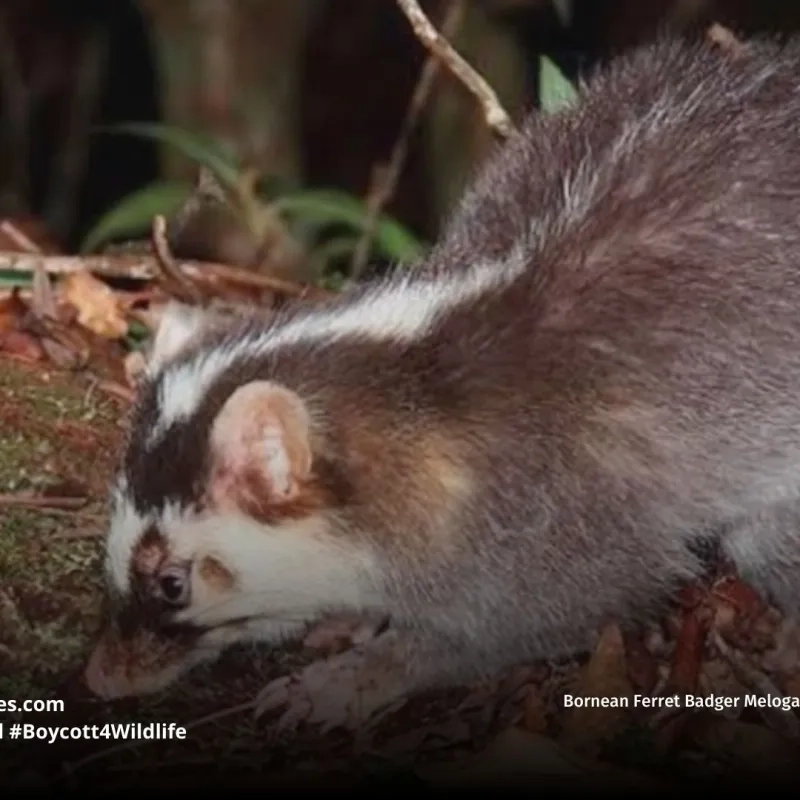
327, 206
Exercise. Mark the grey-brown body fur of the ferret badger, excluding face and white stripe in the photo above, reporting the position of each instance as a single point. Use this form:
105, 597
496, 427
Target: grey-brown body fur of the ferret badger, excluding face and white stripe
635, 390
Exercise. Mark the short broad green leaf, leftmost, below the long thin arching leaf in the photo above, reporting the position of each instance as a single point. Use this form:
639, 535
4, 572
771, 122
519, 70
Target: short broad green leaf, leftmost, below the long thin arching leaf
134, 214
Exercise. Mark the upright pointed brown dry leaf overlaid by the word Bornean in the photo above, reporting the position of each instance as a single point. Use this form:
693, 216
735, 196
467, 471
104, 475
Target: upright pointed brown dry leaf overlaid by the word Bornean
606, 675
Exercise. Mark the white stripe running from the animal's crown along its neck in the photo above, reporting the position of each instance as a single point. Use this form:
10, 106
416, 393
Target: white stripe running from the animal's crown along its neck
401, 310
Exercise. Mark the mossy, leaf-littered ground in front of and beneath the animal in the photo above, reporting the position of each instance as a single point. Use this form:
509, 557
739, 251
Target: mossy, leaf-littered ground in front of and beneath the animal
60, 435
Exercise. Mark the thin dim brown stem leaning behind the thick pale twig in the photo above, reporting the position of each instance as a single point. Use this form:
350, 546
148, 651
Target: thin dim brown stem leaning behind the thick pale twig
386, 176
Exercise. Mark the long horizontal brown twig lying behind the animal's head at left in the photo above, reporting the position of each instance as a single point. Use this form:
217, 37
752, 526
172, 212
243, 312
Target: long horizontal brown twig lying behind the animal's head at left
145, 268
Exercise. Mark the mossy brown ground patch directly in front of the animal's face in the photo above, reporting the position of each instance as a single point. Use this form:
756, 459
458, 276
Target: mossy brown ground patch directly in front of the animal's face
52, 428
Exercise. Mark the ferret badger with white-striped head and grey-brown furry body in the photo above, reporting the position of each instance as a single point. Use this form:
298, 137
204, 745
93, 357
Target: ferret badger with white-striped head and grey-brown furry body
595, 369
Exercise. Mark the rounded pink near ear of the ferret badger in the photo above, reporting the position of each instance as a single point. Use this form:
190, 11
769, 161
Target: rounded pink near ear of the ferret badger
261, 452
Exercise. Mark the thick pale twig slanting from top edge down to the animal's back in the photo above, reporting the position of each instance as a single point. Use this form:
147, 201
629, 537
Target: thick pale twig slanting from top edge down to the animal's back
496, 117
